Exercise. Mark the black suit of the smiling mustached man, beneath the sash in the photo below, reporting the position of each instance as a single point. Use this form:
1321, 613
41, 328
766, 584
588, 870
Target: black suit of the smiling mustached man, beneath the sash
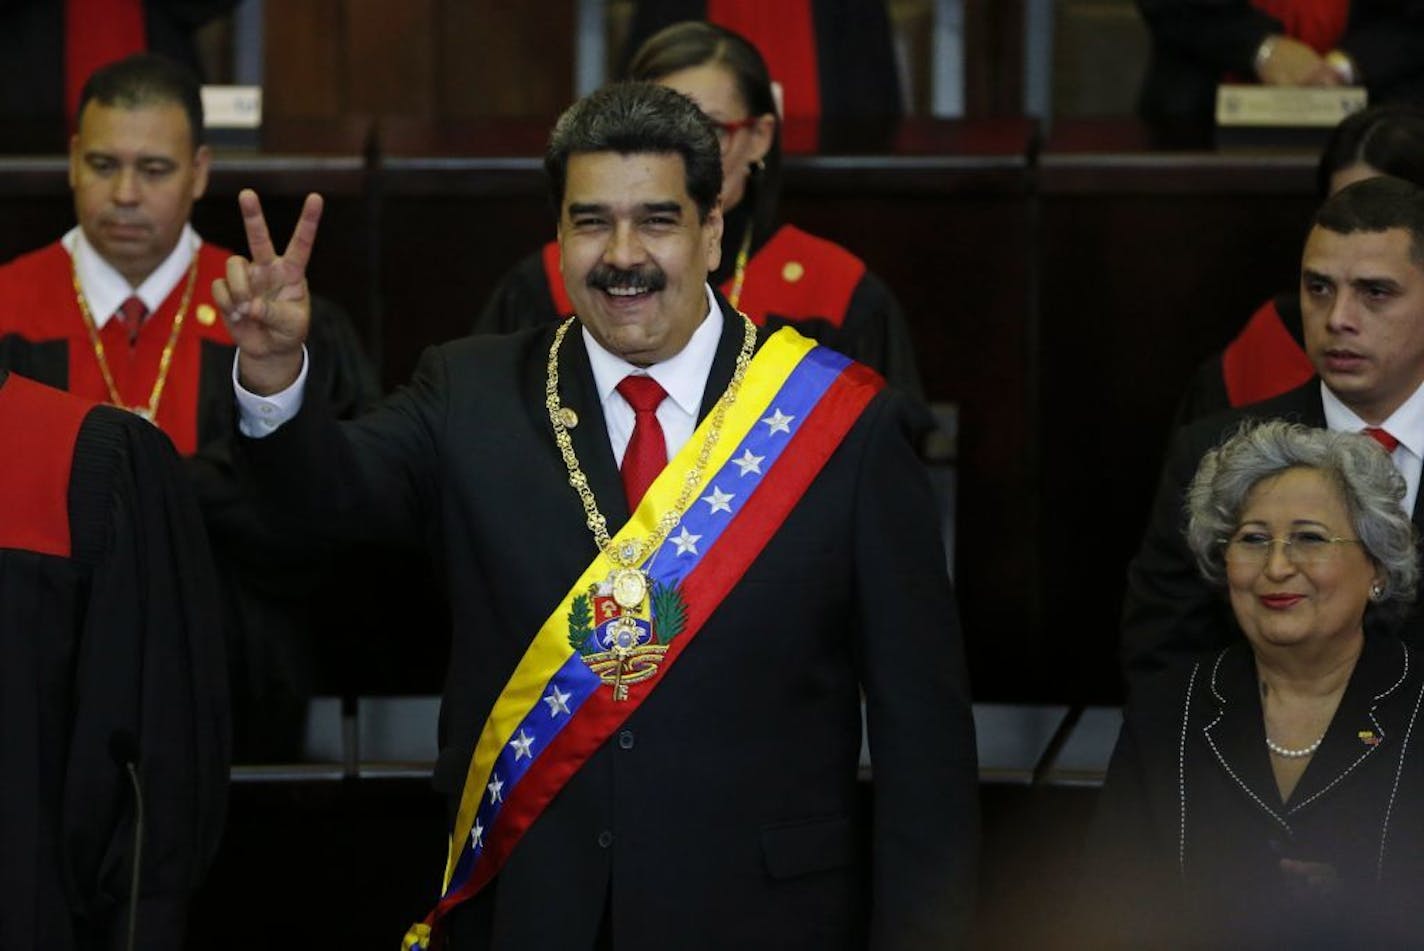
730, 799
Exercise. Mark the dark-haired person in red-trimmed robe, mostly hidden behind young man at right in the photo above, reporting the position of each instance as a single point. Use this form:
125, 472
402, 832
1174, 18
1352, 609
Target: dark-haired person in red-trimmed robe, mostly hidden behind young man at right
1268, 358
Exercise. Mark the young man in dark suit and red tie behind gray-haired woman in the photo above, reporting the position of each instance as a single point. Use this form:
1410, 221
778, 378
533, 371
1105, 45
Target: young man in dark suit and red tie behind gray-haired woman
1362, 301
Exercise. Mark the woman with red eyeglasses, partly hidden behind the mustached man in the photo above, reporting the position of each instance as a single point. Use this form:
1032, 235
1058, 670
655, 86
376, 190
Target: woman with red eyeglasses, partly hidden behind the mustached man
774, 273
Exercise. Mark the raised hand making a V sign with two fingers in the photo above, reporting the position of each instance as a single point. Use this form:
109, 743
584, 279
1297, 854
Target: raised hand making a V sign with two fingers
266, 301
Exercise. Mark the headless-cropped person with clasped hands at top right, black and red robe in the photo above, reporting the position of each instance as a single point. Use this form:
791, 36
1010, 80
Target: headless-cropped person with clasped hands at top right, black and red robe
1200, 43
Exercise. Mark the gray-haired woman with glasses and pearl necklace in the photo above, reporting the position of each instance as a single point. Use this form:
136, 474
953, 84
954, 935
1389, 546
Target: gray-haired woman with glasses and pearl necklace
1274, 792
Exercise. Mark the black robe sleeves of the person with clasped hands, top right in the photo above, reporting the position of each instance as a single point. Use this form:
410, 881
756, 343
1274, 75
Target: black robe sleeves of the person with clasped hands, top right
1197, 42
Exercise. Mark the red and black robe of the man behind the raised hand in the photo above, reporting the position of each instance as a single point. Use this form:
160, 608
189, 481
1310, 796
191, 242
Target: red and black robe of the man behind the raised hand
266, 574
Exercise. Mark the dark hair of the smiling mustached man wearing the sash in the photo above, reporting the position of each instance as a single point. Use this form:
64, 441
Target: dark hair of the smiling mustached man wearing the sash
634, 119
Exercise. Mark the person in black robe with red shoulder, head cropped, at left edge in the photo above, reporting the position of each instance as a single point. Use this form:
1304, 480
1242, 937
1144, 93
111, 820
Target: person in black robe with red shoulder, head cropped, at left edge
110, 656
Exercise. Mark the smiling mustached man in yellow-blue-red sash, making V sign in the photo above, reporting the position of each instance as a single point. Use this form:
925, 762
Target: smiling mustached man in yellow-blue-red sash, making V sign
651, 721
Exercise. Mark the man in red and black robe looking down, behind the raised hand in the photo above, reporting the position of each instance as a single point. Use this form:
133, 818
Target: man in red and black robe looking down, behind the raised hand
120, 311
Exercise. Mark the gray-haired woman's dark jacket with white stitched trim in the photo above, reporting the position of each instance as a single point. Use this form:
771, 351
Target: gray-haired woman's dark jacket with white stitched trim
1191, 829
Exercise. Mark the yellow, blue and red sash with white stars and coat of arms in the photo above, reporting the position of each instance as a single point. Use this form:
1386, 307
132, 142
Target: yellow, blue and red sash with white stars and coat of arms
595, 661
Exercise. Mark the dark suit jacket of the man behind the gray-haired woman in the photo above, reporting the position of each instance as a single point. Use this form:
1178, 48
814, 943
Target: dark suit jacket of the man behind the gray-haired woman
1170, 610
